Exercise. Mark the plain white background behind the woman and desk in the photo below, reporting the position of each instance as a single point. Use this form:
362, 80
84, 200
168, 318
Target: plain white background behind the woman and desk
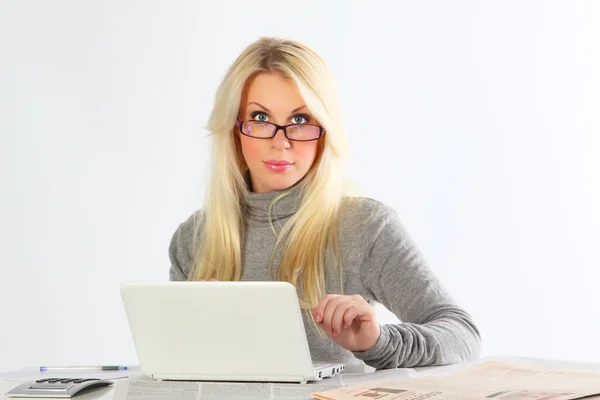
477, 121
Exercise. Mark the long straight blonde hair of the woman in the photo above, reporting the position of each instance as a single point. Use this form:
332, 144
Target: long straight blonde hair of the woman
313, 228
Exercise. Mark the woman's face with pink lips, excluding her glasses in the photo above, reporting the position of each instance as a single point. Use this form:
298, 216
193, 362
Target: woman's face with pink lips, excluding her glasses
276, 163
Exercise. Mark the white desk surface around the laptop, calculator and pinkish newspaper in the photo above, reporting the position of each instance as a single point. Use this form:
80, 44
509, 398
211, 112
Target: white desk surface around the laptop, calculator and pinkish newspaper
138, 387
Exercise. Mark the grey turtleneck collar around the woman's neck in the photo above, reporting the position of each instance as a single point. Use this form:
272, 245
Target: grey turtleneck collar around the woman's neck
257, 204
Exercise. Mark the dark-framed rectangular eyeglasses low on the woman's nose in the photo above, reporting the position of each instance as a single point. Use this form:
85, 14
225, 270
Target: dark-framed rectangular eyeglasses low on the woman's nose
267, 130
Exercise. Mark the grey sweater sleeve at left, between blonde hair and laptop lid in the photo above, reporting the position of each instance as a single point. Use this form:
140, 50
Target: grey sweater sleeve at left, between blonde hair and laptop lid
181, 250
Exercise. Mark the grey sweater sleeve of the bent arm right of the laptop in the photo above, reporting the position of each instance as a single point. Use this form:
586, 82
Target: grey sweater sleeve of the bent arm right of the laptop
434, 329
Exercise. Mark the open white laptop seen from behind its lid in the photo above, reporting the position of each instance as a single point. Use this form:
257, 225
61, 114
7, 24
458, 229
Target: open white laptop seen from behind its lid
221, 331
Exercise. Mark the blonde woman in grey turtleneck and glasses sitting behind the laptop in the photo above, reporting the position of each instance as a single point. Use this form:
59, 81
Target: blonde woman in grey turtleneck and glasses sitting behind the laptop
276, 210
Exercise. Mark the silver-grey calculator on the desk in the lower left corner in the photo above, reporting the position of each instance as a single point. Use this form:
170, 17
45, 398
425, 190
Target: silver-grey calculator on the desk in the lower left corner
57, 387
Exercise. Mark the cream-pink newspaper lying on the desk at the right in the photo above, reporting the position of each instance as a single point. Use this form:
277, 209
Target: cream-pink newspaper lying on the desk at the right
489, 380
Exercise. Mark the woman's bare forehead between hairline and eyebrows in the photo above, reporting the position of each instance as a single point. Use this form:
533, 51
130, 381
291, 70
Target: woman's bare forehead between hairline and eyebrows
274, 91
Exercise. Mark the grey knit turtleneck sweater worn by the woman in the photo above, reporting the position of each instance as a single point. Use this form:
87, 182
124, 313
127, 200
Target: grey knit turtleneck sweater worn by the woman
380, 263
